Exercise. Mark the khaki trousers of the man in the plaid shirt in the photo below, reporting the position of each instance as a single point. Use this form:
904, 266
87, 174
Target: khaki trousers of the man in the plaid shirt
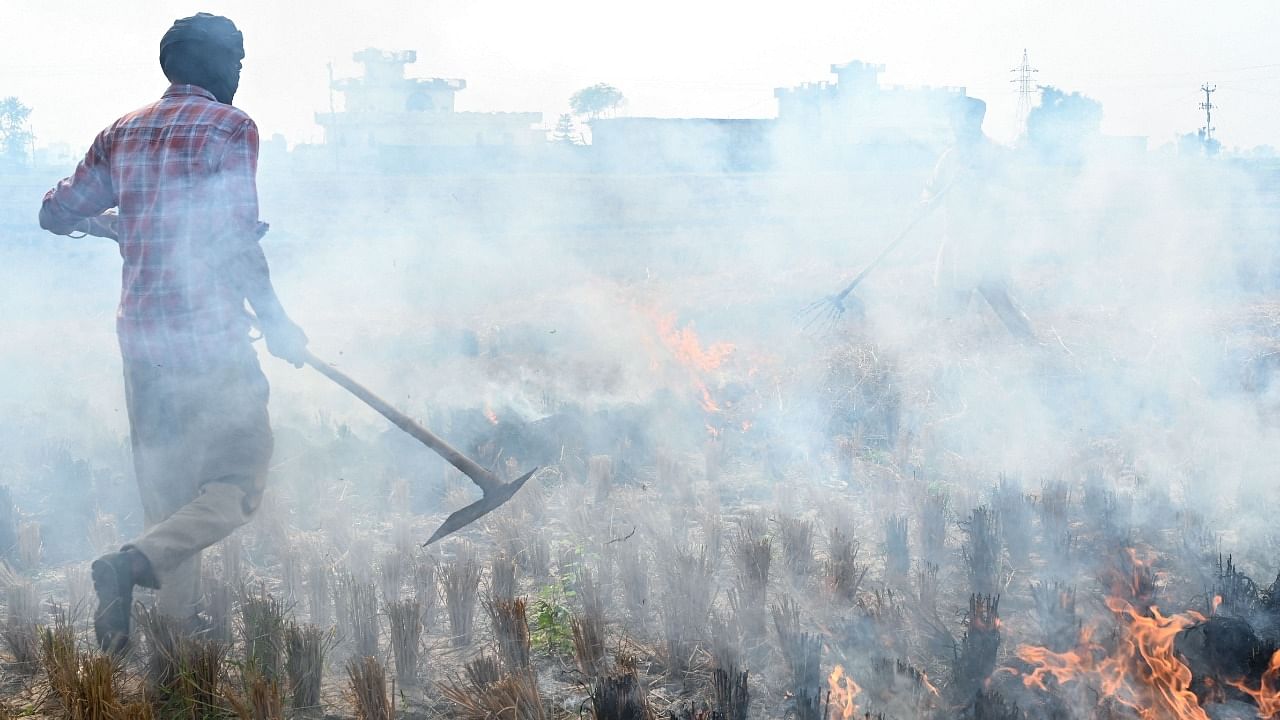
202, 449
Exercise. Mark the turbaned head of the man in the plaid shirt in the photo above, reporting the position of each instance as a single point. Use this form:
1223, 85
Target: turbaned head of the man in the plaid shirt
204, 51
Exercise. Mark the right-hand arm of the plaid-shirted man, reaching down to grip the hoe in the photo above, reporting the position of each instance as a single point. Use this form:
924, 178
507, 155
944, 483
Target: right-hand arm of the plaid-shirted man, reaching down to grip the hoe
246, 263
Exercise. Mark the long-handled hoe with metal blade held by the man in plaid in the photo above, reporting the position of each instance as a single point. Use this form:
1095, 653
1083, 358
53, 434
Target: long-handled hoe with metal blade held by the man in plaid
496, 493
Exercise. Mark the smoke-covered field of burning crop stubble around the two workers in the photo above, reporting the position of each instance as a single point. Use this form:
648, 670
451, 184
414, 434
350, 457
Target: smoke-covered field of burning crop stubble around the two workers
918, 463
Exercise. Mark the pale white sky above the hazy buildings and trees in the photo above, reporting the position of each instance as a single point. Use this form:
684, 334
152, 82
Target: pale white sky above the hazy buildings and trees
83, 63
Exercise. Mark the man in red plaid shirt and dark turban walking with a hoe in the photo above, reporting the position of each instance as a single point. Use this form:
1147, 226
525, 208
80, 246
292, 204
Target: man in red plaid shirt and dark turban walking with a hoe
173, 184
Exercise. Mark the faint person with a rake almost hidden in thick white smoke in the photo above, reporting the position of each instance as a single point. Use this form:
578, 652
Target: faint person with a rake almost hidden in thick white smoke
970, 183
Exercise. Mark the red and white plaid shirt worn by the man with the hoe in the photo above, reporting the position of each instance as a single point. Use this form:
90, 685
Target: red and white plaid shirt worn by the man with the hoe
182, 174
